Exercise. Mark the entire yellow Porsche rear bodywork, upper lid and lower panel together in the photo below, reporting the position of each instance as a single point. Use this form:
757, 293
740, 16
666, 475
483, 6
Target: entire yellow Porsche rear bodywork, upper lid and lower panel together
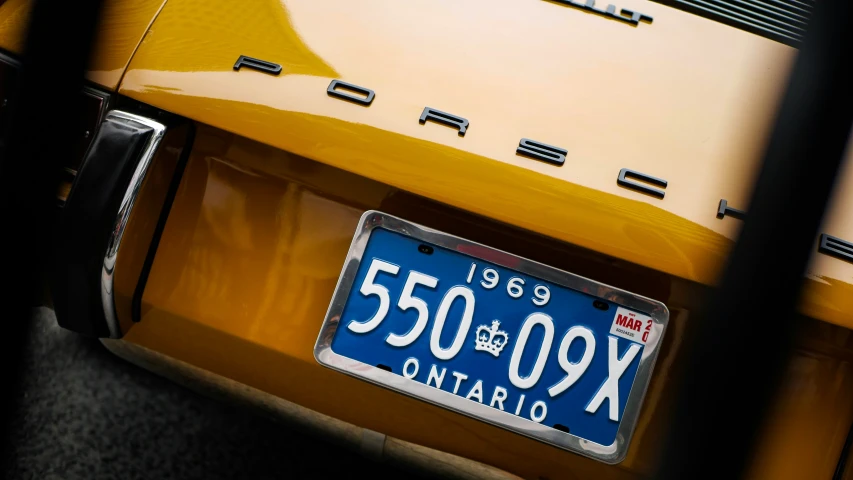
280, 173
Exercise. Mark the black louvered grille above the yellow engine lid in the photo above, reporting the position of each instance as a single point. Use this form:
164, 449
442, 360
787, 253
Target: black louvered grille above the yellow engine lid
781, 20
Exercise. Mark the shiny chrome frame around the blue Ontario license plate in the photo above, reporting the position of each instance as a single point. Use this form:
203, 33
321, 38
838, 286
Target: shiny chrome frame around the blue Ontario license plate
610, 454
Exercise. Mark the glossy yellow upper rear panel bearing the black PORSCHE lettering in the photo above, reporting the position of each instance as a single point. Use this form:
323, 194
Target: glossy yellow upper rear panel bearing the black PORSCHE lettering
685, 99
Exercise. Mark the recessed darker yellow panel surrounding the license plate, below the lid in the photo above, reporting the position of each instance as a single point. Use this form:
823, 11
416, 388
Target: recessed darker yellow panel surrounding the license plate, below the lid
252, 252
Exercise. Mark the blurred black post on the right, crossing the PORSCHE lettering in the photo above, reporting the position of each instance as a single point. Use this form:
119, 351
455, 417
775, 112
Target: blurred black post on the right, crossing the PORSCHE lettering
739, 344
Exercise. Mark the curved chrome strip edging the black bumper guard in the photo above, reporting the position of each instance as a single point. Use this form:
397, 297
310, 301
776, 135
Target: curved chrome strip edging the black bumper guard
127, 202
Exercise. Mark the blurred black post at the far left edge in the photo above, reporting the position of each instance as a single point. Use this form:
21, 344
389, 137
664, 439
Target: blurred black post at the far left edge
39, 138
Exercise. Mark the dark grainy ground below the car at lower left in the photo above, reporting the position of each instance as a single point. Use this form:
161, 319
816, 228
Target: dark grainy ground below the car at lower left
87, 414
